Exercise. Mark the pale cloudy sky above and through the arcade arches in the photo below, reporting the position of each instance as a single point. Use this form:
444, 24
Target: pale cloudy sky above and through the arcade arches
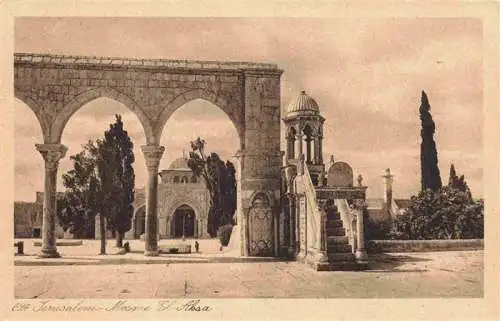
365, 74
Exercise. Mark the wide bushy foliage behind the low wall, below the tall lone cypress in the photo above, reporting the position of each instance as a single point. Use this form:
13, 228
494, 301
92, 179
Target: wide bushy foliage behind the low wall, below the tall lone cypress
448, 213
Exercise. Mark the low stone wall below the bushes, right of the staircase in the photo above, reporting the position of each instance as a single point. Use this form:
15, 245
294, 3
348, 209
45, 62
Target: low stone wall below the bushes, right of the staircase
395, 246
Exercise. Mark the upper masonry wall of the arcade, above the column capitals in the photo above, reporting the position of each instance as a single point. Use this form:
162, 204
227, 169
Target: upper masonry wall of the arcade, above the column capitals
54, 87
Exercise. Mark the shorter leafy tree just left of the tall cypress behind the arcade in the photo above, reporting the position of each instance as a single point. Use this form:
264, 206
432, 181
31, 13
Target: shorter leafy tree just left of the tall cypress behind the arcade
81, 202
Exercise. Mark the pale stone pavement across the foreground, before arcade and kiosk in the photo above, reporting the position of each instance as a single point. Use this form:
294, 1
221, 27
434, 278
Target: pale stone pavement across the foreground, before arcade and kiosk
394, 275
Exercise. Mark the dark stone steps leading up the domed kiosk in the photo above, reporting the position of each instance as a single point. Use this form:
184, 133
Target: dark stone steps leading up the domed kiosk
340, 253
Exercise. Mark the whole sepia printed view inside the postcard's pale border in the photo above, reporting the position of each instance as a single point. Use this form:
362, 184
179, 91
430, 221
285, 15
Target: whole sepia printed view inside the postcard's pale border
191, 158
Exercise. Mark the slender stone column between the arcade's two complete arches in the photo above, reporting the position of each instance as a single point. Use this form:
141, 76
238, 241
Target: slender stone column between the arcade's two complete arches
152, 155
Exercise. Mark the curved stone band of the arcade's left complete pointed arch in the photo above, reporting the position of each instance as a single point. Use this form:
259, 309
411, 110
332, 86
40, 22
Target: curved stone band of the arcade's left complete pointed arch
101, 92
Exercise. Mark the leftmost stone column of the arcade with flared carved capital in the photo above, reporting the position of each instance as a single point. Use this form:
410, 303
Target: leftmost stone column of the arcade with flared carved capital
51, 154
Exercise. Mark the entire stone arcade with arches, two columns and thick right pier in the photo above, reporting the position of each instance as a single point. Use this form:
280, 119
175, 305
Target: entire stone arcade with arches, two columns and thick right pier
55, 87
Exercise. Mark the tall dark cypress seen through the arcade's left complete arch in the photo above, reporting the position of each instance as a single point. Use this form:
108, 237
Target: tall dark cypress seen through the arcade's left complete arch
117, 178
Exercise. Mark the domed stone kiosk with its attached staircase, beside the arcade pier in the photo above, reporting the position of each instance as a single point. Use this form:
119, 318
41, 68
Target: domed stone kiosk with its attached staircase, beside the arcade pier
322, 224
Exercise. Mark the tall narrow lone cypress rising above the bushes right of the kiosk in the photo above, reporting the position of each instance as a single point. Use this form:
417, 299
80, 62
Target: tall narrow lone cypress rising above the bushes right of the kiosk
431, 178
